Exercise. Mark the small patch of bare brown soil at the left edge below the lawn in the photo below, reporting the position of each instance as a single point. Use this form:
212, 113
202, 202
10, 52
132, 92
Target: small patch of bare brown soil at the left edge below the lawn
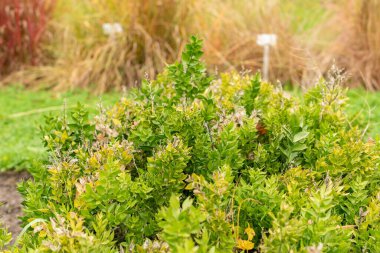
10, 198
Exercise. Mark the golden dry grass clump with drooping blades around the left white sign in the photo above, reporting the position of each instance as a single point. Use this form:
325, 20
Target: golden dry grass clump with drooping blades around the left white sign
86, 58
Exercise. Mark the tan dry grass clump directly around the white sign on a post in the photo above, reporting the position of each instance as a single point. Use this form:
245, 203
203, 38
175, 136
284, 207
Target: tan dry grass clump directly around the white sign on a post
230, 37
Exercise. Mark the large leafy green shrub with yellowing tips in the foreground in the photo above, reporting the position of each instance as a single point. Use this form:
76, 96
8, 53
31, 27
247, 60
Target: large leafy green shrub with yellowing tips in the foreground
190, 163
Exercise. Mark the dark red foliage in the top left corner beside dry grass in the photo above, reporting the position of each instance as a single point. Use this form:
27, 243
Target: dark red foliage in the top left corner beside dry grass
22, 24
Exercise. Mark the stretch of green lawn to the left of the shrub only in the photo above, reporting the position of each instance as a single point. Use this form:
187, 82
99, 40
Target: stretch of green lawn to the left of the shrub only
21, 114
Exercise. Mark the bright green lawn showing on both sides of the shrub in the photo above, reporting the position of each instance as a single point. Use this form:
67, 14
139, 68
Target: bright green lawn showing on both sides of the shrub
23, 111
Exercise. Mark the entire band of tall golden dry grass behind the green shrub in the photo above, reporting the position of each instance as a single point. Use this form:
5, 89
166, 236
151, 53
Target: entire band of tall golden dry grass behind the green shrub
311, 36
